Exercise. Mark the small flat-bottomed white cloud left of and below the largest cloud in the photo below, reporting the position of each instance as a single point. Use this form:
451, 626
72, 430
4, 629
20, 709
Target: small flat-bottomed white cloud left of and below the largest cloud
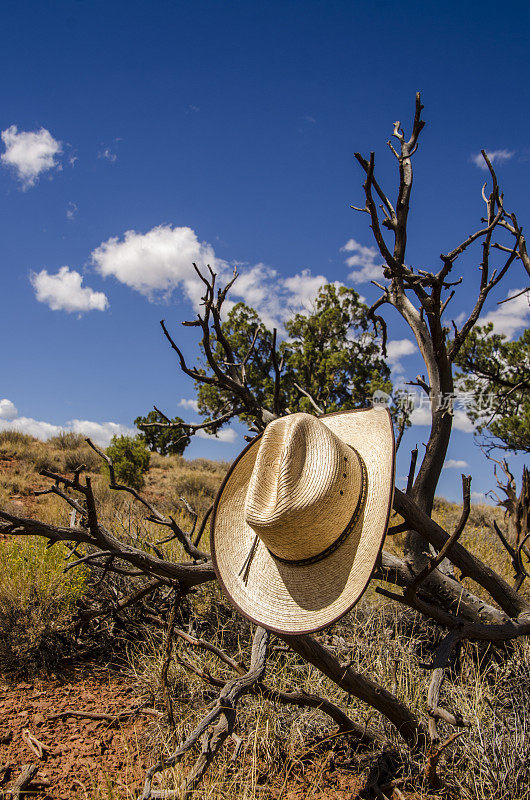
64, 292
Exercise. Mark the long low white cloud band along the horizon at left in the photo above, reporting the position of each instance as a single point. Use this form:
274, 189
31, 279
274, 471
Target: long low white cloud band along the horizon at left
100, 432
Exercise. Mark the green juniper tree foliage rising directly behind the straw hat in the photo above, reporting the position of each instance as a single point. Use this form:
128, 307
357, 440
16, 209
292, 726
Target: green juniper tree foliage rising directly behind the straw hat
330, 352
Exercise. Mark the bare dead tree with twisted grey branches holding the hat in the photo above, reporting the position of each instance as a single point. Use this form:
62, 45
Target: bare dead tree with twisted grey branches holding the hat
421, 579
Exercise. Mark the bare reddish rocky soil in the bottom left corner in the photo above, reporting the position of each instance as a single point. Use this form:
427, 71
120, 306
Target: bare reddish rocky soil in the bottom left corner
76, 757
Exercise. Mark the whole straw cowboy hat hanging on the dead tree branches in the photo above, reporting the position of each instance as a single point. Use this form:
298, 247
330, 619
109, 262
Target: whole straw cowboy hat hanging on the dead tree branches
299, 520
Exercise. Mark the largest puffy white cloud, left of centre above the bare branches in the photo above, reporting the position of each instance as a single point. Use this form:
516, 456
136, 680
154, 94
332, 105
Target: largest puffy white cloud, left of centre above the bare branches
157, 262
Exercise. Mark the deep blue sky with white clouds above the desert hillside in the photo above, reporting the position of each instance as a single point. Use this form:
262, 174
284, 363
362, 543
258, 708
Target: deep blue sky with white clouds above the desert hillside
225, 131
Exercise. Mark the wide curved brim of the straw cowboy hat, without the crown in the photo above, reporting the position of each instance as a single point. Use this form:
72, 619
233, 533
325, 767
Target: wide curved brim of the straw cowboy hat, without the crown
304, 599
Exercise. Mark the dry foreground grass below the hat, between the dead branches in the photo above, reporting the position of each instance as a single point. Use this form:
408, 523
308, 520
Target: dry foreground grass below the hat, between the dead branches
285, 746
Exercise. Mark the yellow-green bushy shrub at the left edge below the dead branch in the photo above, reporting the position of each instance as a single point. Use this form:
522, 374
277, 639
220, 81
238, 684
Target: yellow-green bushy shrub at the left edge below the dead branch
36, 600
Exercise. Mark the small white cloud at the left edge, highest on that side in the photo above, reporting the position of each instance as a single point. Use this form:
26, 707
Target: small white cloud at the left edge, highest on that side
30, 153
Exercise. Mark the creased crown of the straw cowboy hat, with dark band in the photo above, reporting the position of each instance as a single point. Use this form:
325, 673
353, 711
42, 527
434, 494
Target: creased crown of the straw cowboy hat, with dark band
304, 488
